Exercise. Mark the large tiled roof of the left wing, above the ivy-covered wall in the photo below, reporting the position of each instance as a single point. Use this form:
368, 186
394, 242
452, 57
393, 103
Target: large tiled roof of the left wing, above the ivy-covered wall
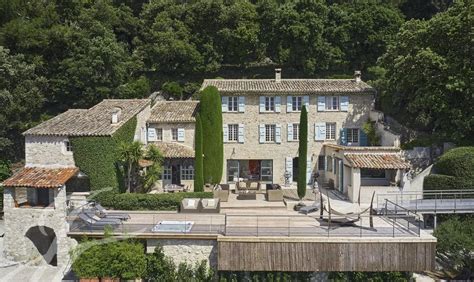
96, 121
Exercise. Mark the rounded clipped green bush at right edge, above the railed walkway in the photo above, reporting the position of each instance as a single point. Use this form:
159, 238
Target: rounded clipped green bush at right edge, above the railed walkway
457, 162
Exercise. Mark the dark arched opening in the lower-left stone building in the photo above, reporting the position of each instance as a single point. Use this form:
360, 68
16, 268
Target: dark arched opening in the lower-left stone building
45, 241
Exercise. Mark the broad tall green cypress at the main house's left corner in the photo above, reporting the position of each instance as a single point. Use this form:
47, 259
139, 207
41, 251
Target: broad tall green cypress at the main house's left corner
213, 145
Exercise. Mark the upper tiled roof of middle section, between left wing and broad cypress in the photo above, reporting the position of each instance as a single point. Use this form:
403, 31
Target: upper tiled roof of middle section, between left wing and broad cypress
174, 111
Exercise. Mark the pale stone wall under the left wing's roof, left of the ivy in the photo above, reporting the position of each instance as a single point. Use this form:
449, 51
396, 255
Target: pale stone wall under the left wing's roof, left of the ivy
47, 151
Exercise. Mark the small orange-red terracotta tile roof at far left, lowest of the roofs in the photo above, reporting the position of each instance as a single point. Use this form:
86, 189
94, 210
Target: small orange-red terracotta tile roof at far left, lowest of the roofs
35, 177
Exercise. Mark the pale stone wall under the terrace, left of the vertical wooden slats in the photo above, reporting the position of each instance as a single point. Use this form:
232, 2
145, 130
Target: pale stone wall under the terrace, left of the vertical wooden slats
189, 251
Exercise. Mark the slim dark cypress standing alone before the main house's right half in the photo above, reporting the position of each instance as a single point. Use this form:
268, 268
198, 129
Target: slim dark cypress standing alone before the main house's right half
302, 153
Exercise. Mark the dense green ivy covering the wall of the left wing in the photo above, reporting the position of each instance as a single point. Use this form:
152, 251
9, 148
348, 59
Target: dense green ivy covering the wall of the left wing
97, 156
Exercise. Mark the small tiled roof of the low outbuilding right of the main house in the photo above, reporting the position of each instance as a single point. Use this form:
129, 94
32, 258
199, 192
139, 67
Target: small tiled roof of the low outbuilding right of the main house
376, 161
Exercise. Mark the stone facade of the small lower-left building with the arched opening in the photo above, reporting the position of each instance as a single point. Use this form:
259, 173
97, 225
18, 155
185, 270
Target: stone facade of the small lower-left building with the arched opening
19, 221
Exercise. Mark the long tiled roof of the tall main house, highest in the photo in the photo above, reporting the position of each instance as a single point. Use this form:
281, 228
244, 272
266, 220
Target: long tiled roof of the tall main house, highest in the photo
289, 86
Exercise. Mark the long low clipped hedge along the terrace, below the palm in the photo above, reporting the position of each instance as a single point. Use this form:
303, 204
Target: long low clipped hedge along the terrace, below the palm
132, 201
